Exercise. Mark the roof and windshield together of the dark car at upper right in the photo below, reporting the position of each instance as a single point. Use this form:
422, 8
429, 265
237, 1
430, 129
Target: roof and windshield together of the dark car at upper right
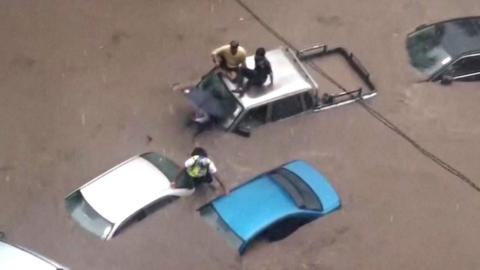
435, 46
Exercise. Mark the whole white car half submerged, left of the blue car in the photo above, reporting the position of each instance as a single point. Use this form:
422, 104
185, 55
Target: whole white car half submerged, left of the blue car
126, 194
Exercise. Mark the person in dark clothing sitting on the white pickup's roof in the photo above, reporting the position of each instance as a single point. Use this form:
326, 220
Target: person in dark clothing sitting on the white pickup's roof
258, 76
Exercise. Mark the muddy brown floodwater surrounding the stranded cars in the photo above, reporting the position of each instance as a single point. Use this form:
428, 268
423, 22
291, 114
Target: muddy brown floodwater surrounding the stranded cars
87, 84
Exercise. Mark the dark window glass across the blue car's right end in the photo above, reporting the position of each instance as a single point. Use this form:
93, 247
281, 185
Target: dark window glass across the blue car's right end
299, 191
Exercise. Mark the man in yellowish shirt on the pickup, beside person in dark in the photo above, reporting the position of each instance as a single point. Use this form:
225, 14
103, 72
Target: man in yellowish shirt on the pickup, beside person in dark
229, 57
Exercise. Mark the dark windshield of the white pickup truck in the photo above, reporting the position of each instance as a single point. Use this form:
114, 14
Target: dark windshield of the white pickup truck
216, 100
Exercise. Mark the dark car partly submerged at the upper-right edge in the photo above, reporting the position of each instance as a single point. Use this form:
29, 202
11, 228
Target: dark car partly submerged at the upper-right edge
447, 51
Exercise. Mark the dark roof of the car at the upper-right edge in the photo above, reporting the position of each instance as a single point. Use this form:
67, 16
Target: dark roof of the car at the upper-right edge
460, 35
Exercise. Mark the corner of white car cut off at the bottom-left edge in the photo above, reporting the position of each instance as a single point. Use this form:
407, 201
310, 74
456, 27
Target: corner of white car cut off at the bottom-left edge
18, 258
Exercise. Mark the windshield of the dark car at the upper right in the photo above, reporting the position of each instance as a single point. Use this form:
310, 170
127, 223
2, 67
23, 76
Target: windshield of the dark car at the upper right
426, 51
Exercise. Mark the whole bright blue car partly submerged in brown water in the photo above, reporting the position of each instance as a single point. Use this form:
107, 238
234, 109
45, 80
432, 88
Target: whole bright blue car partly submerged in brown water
272, 205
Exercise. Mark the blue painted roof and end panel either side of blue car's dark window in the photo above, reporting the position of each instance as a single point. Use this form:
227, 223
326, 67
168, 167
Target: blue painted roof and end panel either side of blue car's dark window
260, 202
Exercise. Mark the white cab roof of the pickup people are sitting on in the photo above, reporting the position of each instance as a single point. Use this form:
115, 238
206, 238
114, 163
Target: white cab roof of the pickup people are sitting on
289, 78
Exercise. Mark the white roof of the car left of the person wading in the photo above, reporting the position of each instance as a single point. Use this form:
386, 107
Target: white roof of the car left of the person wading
125, 189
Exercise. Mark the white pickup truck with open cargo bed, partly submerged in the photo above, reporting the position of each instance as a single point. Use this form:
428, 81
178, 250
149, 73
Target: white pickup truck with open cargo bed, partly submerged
293, 92
